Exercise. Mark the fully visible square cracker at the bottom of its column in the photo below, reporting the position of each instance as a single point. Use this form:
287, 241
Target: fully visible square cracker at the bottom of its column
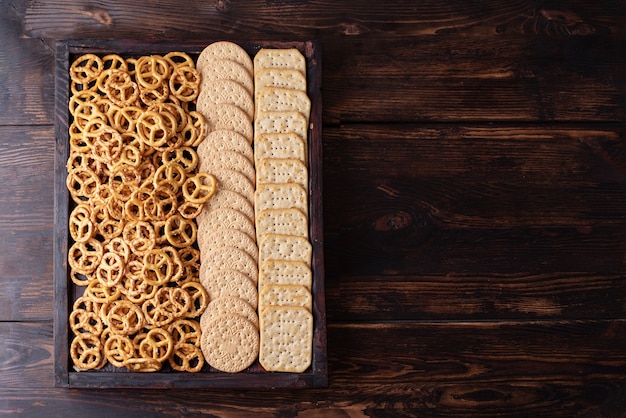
286, 339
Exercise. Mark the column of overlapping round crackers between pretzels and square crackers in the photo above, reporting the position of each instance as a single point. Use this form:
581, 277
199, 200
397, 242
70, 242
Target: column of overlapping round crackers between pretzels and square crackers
226, 229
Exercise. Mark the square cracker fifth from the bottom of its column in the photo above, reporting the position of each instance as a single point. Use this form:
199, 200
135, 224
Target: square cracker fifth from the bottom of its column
290, 221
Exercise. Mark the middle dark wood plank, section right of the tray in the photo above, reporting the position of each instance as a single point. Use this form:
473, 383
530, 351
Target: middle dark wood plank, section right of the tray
446, 222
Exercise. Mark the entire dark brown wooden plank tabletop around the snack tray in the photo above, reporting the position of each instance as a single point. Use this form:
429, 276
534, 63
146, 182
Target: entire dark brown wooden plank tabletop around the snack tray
474, 204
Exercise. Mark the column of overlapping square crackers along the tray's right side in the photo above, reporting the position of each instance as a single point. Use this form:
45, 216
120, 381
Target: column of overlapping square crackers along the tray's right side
282, 110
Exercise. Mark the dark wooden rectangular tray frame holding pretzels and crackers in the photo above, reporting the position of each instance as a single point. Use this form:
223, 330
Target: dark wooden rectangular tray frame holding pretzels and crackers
255, 376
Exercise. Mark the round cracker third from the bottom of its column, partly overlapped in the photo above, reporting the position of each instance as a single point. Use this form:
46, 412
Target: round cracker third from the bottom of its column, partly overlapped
232, 283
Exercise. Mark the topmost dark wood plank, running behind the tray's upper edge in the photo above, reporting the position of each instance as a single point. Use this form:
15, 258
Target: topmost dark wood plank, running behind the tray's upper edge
528, 62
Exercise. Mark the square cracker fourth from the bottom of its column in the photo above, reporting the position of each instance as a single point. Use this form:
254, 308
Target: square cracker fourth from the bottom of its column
284, 247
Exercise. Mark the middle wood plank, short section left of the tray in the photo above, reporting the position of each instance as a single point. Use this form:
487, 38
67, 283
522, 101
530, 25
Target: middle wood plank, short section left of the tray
26, 204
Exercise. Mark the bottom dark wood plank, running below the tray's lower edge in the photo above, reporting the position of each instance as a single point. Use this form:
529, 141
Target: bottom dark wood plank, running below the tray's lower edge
508, 369
